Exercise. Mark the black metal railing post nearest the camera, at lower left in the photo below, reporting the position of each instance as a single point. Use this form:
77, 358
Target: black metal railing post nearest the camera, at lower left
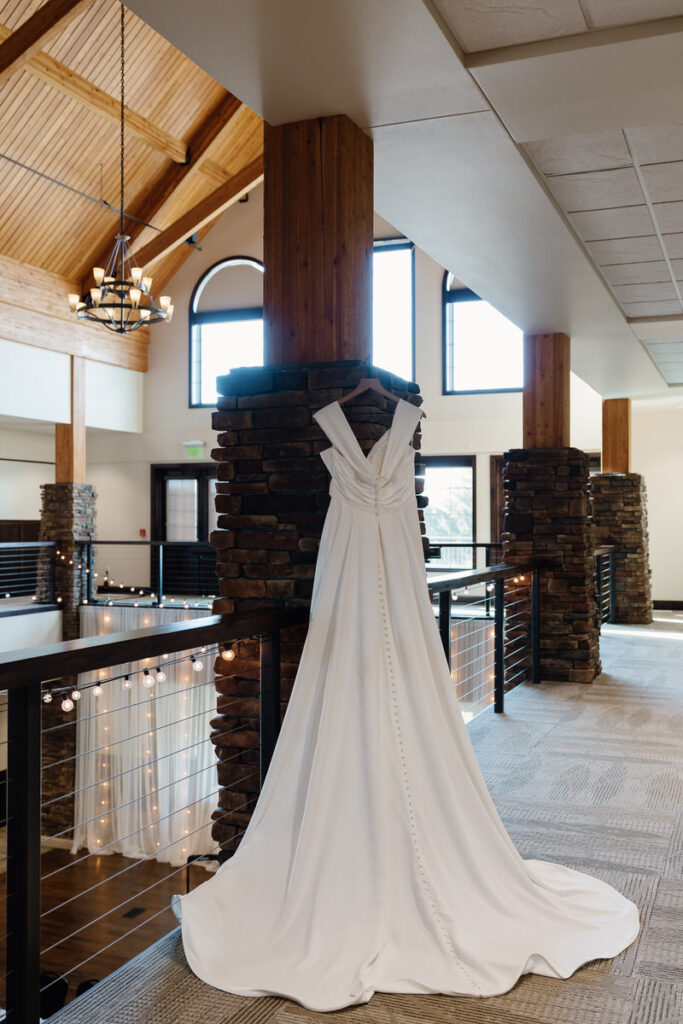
24, 794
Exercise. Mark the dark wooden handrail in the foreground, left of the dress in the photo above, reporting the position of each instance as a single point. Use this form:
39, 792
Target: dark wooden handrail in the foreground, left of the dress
21, 668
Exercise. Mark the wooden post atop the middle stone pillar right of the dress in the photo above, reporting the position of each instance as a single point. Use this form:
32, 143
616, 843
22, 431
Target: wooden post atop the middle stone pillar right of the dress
546, 399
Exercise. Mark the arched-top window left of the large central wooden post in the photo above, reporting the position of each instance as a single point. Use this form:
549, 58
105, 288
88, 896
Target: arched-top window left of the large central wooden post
226, 324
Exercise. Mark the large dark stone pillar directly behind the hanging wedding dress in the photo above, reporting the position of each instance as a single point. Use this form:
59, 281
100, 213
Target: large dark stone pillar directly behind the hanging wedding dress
272, 497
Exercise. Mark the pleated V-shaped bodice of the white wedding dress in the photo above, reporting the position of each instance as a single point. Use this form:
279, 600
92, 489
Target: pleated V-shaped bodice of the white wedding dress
385, 480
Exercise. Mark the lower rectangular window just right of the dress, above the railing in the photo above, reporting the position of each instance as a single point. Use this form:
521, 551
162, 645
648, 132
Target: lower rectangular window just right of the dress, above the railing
450, 517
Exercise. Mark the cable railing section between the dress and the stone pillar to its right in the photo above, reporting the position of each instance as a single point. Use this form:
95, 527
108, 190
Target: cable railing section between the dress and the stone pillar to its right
489, 621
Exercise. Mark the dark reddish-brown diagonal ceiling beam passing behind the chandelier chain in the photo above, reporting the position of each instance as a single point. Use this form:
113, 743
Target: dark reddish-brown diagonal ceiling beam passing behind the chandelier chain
159, 195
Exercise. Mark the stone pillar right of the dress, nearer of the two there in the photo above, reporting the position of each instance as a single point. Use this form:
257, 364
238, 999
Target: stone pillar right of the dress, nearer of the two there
547, 516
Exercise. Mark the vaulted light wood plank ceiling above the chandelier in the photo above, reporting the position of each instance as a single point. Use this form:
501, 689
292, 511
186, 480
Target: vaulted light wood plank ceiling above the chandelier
59, 115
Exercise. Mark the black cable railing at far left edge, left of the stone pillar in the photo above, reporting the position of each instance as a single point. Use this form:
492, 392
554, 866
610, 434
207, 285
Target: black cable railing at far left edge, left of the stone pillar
27, 574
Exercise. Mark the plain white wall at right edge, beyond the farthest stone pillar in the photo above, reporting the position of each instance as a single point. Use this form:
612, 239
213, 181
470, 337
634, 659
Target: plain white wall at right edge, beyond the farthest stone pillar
658, 454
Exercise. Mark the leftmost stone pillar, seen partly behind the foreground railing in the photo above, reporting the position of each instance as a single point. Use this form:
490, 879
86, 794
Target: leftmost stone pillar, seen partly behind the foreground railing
68, 518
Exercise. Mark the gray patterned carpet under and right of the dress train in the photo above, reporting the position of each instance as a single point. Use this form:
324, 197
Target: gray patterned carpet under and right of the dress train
590, 777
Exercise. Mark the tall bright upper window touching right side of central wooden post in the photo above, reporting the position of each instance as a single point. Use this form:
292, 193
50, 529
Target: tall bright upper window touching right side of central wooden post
394, 308
